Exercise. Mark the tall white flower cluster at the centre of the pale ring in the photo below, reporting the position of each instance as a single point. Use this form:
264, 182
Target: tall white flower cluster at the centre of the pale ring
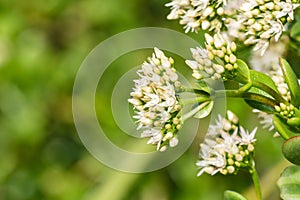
157, 109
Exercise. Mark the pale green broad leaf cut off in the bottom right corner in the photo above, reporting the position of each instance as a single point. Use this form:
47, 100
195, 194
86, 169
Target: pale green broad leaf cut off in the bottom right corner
289, 183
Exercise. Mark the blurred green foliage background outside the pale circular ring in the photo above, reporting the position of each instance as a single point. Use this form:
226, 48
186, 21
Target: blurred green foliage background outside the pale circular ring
42, 44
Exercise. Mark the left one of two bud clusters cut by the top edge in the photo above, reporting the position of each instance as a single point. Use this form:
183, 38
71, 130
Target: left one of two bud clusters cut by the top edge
193, 14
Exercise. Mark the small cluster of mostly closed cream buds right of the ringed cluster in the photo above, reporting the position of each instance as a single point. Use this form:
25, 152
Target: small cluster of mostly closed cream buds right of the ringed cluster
216, 61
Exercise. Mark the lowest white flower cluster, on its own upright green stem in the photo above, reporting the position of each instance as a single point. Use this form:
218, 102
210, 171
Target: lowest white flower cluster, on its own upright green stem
226, 148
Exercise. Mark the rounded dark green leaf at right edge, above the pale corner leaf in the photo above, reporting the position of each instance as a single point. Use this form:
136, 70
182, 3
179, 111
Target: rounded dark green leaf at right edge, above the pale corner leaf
291, 149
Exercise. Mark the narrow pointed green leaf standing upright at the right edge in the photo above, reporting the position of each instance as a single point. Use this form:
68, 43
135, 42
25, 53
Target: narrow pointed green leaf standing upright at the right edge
292, 81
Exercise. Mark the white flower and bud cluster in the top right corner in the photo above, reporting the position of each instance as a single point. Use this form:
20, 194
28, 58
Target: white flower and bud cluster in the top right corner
263, 20
